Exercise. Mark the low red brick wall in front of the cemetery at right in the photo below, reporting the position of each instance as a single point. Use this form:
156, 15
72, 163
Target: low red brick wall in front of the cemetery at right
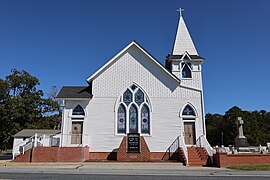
222, 159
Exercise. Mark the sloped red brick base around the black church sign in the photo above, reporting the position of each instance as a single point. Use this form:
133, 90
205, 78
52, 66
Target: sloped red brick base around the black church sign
123, 155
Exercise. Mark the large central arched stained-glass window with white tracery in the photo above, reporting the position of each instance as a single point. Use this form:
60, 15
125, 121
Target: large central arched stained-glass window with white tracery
133, 113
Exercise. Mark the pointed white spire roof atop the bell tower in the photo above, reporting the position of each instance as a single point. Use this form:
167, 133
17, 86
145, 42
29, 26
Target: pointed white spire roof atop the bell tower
183, 42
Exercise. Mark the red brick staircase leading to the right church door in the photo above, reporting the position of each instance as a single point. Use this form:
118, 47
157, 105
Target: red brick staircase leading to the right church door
197, 156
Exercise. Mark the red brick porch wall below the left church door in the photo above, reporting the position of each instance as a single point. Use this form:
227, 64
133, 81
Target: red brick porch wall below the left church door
55, 154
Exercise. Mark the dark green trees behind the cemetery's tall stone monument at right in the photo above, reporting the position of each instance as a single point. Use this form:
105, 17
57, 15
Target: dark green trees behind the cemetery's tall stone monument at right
256, 127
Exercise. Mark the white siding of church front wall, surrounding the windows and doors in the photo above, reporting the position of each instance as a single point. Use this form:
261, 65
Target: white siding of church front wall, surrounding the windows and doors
167, 98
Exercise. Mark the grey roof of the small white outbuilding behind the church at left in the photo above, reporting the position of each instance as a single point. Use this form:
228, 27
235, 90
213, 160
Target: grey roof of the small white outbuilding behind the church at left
31, 132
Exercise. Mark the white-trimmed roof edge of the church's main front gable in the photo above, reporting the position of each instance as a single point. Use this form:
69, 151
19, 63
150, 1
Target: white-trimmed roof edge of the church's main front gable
133, 43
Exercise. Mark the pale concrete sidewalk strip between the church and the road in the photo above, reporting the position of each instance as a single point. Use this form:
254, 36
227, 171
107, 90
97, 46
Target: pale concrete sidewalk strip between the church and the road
118, 168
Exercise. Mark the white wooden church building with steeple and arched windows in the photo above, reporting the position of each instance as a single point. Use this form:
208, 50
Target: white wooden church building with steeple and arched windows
133, 93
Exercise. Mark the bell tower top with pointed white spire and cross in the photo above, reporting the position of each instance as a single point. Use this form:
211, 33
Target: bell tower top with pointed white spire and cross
184, 62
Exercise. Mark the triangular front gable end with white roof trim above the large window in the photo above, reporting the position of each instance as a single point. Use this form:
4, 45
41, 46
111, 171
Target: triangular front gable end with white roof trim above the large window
134, 64
